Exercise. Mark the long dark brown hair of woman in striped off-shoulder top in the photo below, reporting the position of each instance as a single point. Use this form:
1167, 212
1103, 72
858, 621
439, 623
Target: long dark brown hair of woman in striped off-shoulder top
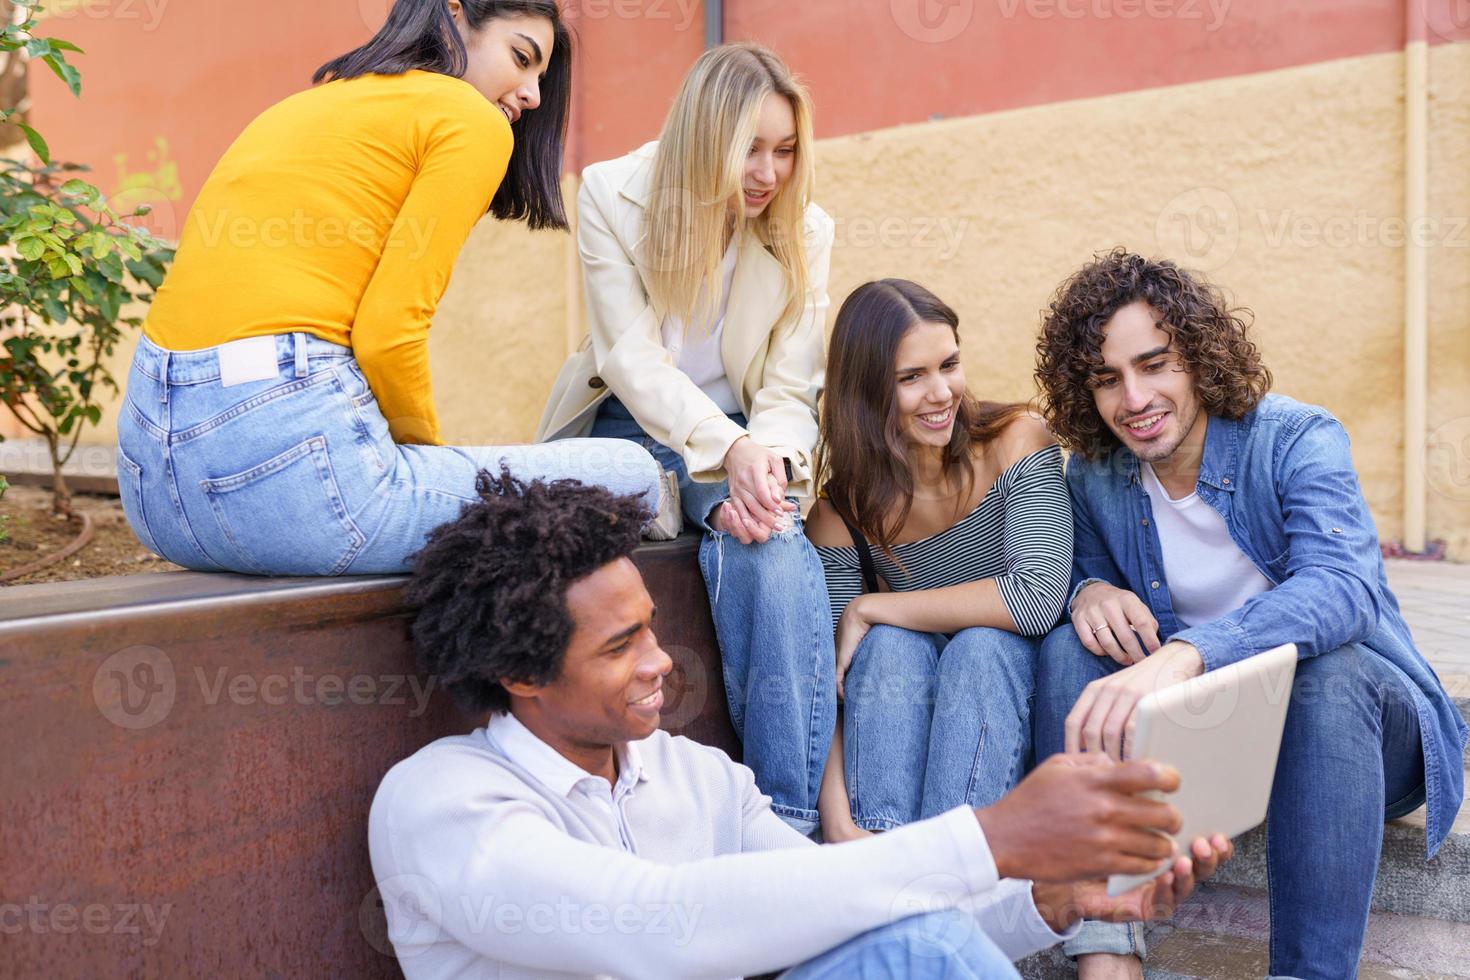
862, 458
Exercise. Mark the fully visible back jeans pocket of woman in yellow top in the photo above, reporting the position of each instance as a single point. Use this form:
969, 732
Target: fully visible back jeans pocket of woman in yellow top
286, 516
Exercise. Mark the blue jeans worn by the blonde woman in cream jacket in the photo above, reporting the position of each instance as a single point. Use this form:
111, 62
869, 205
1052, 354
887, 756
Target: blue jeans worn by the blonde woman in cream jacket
774, 625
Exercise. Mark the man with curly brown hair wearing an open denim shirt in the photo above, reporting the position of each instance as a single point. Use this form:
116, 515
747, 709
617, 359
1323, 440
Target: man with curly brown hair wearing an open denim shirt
1215, 521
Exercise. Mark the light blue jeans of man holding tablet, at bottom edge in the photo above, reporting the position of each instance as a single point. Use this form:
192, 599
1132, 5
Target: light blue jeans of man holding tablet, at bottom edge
934, 947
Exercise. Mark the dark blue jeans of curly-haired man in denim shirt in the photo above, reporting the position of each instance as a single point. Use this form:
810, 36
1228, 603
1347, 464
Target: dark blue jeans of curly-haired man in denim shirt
1350, 760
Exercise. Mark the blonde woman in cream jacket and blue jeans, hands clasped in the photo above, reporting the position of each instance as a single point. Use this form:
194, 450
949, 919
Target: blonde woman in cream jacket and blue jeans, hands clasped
706, 268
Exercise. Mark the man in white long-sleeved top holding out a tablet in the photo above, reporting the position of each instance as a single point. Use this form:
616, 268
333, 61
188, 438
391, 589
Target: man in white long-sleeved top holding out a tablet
571, 837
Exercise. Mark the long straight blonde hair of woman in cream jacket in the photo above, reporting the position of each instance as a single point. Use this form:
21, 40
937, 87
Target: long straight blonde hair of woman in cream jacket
700, 168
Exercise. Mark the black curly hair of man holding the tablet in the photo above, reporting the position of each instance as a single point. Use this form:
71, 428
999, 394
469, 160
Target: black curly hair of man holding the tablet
489, 590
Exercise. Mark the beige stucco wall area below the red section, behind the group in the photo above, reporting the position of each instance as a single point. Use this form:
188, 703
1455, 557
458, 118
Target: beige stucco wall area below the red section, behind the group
1284, 187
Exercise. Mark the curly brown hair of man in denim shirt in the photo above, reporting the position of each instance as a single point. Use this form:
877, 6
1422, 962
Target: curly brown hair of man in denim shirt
1208, 333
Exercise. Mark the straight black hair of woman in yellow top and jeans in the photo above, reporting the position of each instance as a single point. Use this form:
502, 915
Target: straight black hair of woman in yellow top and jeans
421, 35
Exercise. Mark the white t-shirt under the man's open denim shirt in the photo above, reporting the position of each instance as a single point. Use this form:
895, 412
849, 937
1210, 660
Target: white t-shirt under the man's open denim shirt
1209, 575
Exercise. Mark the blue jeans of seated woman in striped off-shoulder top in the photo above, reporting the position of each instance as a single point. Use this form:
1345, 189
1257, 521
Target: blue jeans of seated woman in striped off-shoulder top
933, 724
